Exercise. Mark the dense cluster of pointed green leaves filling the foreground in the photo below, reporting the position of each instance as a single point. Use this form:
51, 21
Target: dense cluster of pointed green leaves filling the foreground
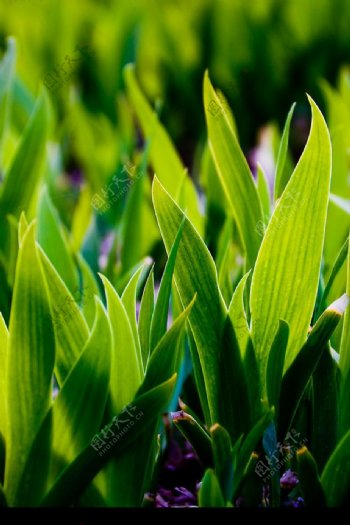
133, 285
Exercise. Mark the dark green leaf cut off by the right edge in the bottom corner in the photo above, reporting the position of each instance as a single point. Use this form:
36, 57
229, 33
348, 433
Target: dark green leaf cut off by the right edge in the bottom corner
335, 477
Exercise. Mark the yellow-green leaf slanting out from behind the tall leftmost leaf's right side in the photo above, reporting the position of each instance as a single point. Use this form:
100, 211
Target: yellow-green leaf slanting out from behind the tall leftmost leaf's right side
71, 330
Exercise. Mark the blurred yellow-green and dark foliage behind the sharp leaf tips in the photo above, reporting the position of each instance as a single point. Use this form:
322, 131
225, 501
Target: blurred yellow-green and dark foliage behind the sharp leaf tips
263, 55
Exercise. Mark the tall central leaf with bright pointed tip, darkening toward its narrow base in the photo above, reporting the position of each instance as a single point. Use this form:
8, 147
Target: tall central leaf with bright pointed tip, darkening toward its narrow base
195, 272
